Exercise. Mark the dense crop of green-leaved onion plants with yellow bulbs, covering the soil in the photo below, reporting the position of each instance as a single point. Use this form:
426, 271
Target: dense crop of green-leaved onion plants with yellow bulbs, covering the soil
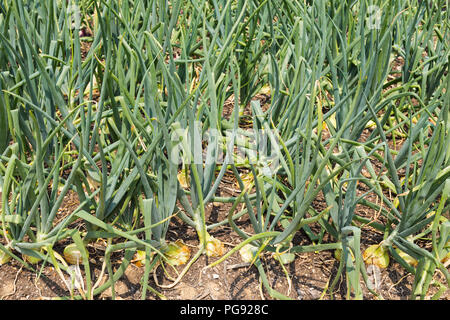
116, 101
